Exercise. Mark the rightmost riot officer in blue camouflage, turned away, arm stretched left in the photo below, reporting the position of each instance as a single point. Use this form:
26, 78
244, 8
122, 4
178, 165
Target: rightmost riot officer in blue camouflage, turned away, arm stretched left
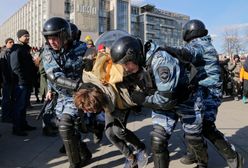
200, 52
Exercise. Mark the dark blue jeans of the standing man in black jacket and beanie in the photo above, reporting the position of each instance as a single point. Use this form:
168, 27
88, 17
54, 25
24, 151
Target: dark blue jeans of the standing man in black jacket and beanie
21, 96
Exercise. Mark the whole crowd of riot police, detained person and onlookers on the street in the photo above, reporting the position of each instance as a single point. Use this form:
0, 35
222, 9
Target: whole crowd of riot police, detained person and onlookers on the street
88, 88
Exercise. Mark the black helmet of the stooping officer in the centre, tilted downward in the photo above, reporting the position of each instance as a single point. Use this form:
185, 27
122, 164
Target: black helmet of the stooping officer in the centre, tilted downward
127, 48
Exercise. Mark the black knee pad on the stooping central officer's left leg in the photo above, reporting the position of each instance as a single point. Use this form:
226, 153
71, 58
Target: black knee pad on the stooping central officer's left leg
159, 139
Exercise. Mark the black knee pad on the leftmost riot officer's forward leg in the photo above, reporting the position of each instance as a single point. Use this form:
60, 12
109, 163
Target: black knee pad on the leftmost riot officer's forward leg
66, 127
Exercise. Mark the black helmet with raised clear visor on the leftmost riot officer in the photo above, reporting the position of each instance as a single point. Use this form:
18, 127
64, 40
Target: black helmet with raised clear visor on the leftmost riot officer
57, 26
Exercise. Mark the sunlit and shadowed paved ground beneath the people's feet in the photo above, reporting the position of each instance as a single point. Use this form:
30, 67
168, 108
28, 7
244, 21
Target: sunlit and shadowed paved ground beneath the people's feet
38, 151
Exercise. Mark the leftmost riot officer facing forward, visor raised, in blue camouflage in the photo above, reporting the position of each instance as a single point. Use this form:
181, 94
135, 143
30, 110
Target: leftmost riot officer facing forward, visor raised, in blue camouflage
62, 62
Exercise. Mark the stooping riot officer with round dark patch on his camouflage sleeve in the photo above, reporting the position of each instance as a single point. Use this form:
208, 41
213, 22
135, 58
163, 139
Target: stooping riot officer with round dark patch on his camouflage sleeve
166, 74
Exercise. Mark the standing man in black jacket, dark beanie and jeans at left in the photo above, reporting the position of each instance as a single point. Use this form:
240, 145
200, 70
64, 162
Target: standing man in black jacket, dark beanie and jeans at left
22, 67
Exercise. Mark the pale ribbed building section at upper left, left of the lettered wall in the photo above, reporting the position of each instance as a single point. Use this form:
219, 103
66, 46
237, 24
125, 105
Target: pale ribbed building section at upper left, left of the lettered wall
31, 17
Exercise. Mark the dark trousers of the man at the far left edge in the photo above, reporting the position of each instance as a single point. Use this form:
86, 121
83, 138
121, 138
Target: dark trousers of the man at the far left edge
6, 102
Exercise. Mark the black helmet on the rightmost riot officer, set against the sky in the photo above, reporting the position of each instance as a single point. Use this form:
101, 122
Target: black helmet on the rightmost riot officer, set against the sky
193, 29
